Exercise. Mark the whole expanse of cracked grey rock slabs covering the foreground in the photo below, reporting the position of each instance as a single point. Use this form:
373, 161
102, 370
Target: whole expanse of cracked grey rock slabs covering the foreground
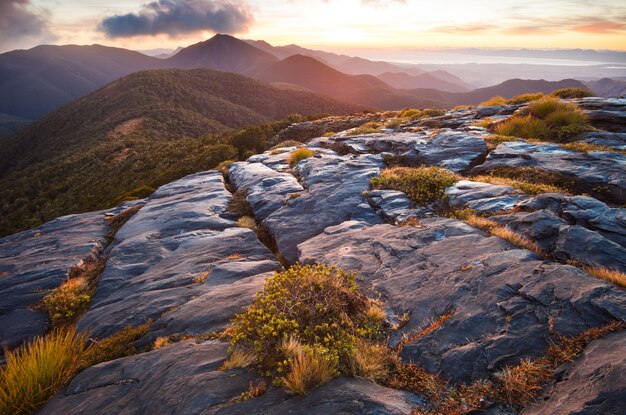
184, 263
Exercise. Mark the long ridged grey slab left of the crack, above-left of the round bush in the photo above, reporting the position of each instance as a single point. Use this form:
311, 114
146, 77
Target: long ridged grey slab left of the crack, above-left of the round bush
183, 231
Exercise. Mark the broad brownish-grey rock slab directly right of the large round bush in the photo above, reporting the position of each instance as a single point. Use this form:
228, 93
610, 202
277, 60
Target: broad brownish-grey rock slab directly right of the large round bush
502, 298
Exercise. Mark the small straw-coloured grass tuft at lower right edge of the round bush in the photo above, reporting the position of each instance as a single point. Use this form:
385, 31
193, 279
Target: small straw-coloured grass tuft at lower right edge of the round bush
369, 361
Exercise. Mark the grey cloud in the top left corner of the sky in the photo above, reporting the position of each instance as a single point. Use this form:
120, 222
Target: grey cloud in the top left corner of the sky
18, 23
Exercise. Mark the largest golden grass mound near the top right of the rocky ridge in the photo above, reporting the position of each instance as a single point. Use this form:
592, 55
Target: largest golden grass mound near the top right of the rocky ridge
548, 119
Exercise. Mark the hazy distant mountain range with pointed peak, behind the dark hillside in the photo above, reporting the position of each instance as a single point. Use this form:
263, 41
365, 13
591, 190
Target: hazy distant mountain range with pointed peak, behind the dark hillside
42, 79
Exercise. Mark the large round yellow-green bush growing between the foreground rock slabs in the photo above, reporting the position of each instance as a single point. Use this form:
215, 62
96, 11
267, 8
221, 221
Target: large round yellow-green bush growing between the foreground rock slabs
304, 326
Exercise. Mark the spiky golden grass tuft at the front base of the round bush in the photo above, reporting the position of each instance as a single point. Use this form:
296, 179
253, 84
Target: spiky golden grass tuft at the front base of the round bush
308, 368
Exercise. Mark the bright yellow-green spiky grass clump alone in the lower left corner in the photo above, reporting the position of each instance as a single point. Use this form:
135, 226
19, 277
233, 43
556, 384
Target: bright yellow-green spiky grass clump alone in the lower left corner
36, 371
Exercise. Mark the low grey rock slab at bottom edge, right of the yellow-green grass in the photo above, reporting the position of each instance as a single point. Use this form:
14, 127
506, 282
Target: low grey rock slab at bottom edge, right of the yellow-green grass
183, 378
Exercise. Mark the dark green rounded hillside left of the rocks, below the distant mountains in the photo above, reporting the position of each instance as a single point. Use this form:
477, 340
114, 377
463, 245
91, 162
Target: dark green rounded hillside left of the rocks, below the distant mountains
137, 133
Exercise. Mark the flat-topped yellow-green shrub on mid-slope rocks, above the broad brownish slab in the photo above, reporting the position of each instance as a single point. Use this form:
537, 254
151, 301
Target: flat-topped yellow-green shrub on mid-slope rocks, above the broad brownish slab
421, 184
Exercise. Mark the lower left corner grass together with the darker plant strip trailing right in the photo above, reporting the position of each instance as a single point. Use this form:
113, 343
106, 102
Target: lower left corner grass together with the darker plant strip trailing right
40, 368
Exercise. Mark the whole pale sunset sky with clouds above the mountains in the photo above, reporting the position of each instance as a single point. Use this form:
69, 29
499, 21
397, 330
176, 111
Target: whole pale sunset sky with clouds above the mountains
334, 25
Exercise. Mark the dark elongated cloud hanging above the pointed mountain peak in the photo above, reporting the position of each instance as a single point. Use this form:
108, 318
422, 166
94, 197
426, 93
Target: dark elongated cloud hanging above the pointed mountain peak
176, 17
